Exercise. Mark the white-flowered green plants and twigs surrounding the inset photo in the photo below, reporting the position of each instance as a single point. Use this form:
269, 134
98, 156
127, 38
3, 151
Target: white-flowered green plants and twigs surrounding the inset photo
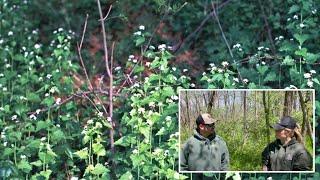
79, 103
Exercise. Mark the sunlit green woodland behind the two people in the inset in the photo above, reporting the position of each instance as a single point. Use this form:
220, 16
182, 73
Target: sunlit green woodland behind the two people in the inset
244, 119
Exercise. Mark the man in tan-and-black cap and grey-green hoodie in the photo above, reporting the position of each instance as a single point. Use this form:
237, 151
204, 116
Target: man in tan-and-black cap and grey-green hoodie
204, 151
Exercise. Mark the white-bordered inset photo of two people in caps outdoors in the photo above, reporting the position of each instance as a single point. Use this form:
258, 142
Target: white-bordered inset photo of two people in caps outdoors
247, 130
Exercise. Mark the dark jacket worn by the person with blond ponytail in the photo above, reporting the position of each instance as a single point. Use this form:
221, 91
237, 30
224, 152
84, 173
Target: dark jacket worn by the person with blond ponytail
292, 156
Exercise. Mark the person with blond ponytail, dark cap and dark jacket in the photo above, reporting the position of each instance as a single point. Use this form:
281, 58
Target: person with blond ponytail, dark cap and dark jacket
286, 153
